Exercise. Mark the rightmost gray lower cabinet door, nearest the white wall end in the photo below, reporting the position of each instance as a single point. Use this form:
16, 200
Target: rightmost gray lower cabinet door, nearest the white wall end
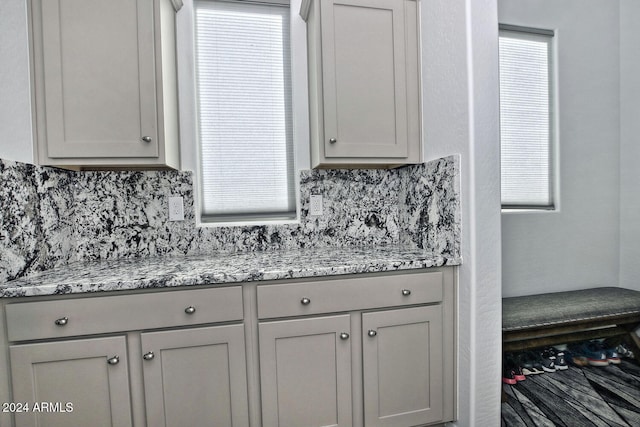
402, 362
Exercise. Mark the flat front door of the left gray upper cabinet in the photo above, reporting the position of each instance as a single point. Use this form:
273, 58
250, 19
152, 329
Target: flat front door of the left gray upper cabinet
95, 61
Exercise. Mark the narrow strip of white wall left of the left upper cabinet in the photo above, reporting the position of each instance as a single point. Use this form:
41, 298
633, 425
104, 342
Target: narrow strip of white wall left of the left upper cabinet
15, 105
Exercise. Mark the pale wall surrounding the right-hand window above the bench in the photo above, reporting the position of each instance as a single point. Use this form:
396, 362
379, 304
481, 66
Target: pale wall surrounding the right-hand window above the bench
578, 246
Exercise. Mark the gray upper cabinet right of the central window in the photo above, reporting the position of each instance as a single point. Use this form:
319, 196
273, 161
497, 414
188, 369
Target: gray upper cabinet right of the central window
364, 82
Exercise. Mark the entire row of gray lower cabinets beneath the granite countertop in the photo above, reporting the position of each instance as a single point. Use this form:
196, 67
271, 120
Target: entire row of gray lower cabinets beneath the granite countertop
350, 351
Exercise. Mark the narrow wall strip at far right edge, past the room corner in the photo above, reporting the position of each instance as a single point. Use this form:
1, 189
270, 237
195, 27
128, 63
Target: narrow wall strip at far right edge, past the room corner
629, 144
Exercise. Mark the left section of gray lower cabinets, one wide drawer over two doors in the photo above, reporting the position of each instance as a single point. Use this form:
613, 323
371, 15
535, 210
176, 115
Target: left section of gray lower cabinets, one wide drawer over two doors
161, 359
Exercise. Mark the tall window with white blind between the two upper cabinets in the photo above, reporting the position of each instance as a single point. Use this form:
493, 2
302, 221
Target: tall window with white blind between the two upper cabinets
243, 69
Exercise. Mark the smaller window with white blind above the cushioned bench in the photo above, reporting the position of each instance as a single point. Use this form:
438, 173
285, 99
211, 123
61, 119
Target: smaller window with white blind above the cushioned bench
526, 124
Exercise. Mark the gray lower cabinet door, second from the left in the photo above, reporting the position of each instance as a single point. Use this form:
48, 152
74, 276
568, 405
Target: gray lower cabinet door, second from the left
196, 377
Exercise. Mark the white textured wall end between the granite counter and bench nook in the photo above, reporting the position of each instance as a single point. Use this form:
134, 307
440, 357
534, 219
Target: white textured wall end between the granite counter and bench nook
460, 112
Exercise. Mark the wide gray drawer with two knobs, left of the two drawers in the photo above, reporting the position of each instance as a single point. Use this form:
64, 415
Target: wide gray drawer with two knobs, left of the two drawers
95, 315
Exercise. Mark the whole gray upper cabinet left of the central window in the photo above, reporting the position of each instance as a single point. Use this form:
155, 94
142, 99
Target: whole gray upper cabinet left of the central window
104, 80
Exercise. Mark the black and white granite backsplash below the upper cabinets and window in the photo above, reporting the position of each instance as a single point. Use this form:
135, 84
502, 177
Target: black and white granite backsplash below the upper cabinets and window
50, 217
